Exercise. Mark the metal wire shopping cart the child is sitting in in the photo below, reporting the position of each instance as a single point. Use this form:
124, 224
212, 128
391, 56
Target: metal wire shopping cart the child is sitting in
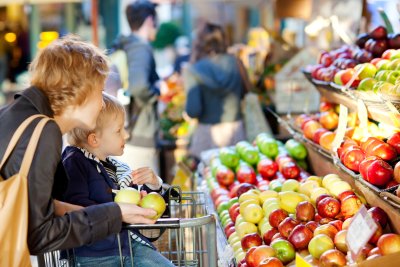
188, 237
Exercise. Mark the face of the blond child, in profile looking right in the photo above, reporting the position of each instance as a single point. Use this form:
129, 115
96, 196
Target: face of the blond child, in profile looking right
111, 139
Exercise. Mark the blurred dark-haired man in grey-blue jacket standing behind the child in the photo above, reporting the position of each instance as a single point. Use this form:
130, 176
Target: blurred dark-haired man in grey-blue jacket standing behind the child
144, 85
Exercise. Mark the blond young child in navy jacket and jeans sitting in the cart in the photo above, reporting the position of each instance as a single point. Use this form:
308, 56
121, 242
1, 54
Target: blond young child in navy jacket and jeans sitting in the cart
94, 174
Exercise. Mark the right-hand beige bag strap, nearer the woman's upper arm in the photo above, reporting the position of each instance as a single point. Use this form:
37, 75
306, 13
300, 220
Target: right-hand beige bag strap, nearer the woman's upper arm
30, 151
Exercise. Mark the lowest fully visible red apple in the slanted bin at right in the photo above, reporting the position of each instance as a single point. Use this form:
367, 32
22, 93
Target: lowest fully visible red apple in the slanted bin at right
379, 173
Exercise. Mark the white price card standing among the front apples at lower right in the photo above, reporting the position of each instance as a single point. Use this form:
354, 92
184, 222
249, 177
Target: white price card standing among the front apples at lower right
360, 230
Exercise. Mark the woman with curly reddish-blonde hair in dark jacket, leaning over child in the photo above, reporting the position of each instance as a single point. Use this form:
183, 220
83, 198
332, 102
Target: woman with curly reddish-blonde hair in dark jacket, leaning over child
67, 79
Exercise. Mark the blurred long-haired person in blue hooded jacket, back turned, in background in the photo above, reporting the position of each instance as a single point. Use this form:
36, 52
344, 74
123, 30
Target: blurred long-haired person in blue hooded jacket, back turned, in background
214, 92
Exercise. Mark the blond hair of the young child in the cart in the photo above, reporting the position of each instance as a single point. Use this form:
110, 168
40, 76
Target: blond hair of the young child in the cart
111, 110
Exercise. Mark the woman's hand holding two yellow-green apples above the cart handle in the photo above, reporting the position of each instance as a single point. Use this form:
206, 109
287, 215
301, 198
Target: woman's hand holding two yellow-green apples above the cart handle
133, 214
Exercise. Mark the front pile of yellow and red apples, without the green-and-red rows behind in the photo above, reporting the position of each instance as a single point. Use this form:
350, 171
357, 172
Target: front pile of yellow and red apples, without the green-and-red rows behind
267, 227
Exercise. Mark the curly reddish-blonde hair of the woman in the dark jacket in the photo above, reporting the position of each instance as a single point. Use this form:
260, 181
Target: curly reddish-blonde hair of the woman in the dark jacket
67, 71
